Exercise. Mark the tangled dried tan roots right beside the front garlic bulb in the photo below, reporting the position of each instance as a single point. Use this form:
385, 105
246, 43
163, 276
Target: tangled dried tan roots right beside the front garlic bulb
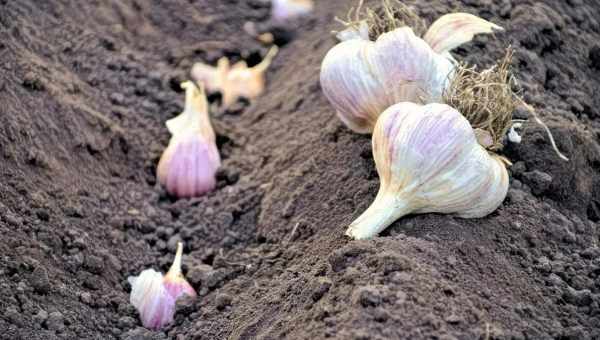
485, 98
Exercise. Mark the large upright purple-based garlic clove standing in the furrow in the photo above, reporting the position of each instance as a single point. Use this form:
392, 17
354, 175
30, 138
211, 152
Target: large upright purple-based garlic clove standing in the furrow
189, 164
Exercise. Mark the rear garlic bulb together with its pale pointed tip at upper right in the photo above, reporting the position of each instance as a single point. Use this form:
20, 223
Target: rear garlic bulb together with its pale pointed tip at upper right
362, 78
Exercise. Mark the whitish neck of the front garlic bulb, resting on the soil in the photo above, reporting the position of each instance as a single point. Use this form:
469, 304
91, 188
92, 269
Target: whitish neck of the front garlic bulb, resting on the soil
386, 209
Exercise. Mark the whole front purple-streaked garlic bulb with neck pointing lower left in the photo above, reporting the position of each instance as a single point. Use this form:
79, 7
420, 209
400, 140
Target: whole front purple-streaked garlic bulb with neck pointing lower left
428, 160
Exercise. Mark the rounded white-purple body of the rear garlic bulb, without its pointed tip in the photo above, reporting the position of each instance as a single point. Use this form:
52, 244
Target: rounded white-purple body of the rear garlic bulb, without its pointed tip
361, 78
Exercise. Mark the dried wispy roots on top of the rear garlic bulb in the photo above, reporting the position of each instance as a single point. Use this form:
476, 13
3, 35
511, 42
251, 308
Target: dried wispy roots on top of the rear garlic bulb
388, 16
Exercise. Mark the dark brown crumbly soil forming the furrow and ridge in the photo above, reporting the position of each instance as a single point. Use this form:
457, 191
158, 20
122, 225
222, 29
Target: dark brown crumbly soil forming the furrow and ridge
86, 88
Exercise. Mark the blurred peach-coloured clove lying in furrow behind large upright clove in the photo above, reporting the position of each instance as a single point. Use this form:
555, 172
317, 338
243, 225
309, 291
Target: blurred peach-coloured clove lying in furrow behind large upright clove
234, 81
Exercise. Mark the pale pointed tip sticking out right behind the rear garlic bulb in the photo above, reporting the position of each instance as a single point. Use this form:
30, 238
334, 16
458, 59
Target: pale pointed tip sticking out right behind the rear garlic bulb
455, 29
